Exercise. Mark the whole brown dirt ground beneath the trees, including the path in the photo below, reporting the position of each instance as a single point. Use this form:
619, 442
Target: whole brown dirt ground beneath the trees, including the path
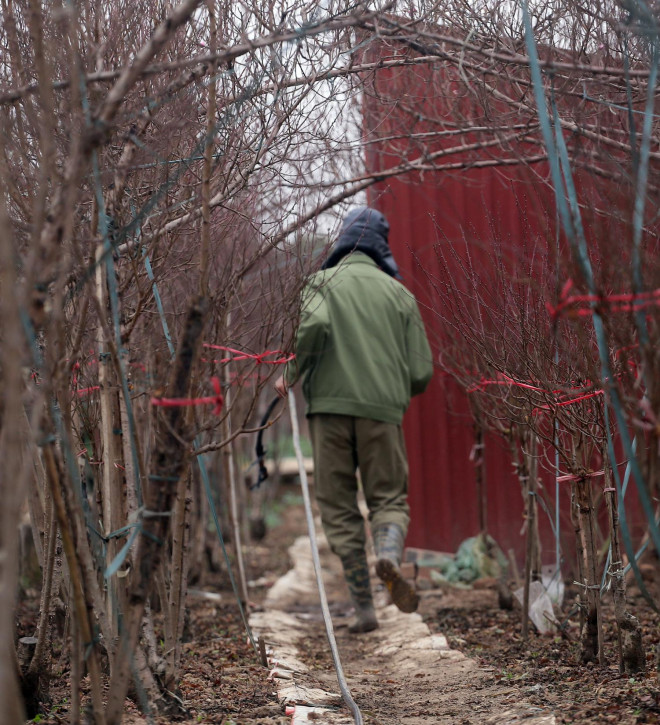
486, 674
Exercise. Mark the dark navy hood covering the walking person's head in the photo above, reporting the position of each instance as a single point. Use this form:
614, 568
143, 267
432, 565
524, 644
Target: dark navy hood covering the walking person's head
364, 230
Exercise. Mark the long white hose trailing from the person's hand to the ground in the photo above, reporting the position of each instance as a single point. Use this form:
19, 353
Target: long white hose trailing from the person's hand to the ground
348, 699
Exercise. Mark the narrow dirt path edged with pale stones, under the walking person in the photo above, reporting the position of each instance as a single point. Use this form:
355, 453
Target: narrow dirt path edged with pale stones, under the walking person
400, 674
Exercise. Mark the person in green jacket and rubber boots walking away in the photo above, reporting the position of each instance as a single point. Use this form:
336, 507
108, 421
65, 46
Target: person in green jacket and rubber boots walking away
361, 353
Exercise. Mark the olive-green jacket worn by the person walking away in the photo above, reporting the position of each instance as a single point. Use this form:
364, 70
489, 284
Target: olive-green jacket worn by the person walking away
361, 347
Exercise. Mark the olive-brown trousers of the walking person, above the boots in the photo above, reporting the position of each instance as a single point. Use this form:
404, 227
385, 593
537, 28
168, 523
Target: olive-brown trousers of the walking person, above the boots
341, 445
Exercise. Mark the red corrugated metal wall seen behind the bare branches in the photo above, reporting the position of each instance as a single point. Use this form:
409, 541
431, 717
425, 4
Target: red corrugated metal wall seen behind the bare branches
461, 211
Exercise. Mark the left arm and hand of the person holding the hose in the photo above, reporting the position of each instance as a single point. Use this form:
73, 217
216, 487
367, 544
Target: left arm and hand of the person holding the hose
311, 338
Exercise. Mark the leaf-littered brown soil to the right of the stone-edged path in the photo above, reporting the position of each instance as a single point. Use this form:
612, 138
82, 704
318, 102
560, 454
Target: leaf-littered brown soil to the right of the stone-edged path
546, 669
